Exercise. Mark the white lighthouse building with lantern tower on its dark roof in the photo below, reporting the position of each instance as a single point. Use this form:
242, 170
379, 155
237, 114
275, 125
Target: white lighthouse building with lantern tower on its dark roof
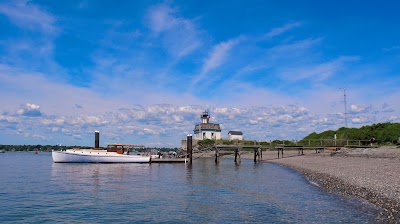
206, 130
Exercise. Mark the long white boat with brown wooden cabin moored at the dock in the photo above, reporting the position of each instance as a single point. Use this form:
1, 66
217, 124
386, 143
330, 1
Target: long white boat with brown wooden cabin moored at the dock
115, 153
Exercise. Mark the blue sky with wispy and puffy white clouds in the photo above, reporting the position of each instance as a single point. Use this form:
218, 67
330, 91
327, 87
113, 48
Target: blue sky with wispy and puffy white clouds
144, 71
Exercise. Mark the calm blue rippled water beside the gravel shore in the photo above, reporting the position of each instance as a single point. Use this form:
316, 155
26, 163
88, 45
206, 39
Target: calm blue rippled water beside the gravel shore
34, 189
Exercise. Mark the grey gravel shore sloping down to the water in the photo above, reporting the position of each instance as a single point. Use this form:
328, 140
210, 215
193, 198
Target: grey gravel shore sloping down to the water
371, 173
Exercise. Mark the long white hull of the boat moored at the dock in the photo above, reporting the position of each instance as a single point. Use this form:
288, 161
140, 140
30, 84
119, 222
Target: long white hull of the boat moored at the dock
81, 156
